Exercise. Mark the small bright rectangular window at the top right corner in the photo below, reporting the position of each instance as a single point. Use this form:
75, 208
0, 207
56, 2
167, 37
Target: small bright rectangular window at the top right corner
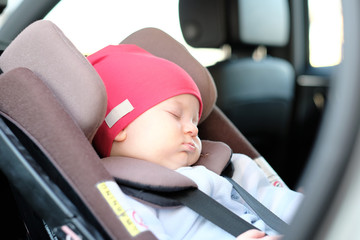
325, 32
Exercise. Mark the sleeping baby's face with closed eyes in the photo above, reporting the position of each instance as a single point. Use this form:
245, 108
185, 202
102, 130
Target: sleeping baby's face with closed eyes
166, 134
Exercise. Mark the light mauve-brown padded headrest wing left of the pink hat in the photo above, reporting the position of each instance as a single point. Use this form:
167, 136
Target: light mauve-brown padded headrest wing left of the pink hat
46, 51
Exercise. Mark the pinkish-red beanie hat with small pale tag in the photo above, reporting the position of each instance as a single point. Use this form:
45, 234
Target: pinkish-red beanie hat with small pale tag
135, 81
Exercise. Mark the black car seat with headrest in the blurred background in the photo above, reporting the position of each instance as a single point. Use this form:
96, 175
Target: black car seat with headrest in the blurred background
255, 90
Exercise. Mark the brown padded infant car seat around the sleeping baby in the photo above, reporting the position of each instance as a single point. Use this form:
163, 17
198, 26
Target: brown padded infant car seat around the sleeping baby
51, 103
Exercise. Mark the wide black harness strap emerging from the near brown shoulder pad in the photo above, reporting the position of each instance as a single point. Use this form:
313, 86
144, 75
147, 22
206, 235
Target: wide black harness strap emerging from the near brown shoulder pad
211, 210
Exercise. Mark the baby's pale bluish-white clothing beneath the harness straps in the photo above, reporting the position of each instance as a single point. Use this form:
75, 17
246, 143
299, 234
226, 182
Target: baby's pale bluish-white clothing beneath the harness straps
184, 223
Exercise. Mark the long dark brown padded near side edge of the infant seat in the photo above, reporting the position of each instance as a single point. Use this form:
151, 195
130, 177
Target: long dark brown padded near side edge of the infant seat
29, 104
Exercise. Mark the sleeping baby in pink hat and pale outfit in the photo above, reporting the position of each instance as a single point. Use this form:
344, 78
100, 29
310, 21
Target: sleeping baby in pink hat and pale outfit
153, 111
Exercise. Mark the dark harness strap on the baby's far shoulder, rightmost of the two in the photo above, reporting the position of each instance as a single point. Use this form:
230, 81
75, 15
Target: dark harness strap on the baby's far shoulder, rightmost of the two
264, 213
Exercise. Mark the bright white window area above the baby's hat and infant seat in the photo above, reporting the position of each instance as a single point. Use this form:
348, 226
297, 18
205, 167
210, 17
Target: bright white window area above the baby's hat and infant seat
93, 24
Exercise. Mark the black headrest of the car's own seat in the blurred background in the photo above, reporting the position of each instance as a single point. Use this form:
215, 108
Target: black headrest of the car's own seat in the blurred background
213, 23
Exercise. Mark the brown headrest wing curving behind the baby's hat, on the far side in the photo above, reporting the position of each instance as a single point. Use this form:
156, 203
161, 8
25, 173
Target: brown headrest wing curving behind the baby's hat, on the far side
162, 45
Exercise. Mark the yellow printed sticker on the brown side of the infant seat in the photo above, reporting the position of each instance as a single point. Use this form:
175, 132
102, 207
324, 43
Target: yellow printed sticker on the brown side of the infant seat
118, 209
